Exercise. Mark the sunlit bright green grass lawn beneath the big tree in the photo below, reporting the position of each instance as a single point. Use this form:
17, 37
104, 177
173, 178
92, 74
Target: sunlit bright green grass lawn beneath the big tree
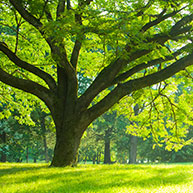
96, 178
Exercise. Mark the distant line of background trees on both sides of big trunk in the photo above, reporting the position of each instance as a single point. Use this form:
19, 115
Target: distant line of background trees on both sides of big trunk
106, 141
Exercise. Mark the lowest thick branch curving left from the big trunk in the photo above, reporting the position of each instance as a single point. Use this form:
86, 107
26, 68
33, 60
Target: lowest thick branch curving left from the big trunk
28, 86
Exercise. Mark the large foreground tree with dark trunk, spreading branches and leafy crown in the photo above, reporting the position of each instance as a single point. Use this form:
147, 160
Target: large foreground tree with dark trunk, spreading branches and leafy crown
123, 46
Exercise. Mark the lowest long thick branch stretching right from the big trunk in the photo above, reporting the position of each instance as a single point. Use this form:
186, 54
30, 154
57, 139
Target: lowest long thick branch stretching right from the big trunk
126, 88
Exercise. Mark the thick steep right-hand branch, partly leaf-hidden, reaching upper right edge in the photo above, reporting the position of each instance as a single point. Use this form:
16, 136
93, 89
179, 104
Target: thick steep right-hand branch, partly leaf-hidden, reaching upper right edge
109, 73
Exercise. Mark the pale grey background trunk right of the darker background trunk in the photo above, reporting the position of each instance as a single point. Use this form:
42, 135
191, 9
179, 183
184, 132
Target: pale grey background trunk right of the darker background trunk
133, 150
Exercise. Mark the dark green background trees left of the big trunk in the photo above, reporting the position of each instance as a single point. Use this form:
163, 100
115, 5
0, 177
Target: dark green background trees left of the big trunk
22, 142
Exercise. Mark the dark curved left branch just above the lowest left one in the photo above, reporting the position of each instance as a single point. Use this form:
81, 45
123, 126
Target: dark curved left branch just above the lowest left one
29, 67
